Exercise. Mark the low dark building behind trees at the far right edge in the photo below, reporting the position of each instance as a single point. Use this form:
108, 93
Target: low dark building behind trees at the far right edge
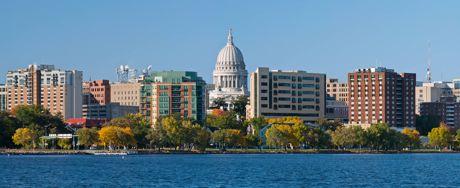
447, 109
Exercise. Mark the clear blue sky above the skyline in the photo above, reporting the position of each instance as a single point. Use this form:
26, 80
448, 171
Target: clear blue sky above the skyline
332, 37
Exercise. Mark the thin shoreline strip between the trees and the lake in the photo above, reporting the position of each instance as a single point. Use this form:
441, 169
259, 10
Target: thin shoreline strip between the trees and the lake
228, 152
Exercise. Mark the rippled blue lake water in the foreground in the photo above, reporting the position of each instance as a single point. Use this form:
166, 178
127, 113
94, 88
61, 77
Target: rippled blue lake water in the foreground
252, 170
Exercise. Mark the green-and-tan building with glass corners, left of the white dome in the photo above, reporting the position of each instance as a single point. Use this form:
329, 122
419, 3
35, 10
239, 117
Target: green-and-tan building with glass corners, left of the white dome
173, 92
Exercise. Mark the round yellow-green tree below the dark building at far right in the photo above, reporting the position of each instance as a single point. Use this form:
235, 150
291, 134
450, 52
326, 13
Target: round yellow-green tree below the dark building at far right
440, 137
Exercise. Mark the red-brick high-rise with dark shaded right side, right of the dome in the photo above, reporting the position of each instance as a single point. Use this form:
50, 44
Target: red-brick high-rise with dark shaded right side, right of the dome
380, 95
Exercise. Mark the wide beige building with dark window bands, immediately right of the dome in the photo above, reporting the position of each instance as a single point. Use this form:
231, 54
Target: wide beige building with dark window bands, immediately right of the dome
276, 93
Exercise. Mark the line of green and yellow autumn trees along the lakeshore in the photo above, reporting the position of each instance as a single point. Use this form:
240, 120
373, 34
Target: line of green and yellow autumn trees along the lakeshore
24, 130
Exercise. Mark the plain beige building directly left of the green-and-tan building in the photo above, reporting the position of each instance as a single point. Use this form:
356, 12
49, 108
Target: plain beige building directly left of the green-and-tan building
125, 93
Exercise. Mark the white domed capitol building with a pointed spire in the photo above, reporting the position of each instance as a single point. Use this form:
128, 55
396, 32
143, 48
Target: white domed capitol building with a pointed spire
230, 77
